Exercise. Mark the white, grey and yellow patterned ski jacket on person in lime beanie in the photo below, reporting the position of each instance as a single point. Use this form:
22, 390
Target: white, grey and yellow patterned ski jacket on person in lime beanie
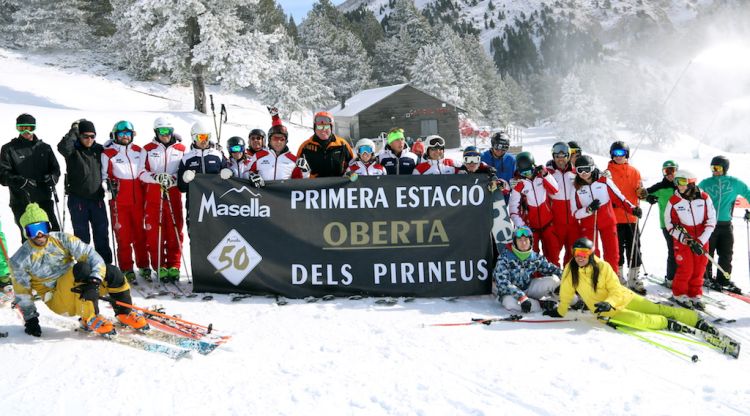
33, 265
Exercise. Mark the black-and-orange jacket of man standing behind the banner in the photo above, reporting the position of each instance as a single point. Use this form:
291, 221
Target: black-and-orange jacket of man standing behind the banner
326, 158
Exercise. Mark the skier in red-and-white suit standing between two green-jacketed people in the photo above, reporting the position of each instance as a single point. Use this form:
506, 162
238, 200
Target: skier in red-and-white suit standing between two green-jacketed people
690, 218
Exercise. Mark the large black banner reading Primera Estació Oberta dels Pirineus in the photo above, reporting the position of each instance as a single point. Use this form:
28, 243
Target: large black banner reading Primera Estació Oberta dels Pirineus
388, 235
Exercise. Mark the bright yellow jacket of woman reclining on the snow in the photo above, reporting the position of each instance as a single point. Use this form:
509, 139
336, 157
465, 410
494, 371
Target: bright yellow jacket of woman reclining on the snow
608, 288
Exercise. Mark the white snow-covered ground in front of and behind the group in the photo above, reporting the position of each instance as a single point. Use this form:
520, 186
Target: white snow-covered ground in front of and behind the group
344, 356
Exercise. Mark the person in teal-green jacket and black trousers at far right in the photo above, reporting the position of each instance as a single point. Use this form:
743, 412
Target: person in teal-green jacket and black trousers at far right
723, 191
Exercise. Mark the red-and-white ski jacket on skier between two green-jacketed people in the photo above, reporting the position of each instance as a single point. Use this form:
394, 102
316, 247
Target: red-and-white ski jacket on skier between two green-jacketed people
697, 216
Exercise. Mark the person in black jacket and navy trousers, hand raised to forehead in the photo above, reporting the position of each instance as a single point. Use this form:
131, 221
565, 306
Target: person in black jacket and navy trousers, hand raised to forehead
83, 157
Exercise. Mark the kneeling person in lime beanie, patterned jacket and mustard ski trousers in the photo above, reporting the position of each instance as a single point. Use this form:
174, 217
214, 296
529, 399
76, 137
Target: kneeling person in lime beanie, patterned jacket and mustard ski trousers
68, 275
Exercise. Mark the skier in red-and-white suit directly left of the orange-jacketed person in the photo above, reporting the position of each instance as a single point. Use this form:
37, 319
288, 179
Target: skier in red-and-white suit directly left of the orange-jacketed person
592, 205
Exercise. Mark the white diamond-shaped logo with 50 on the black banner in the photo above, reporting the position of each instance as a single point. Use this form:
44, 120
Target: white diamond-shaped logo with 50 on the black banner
234, 257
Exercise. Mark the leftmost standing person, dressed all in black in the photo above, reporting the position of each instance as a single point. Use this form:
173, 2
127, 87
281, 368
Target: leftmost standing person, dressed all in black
29, 168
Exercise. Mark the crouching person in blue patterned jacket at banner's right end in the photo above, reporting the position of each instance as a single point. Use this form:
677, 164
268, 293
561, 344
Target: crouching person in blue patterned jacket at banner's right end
523, 276
